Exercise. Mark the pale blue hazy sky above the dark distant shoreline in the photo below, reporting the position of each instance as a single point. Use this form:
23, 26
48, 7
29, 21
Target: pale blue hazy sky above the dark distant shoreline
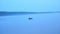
30, 5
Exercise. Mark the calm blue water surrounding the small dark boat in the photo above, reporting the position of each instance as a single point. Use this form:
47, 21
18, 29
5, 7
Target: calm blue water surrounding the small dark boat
39, 24
